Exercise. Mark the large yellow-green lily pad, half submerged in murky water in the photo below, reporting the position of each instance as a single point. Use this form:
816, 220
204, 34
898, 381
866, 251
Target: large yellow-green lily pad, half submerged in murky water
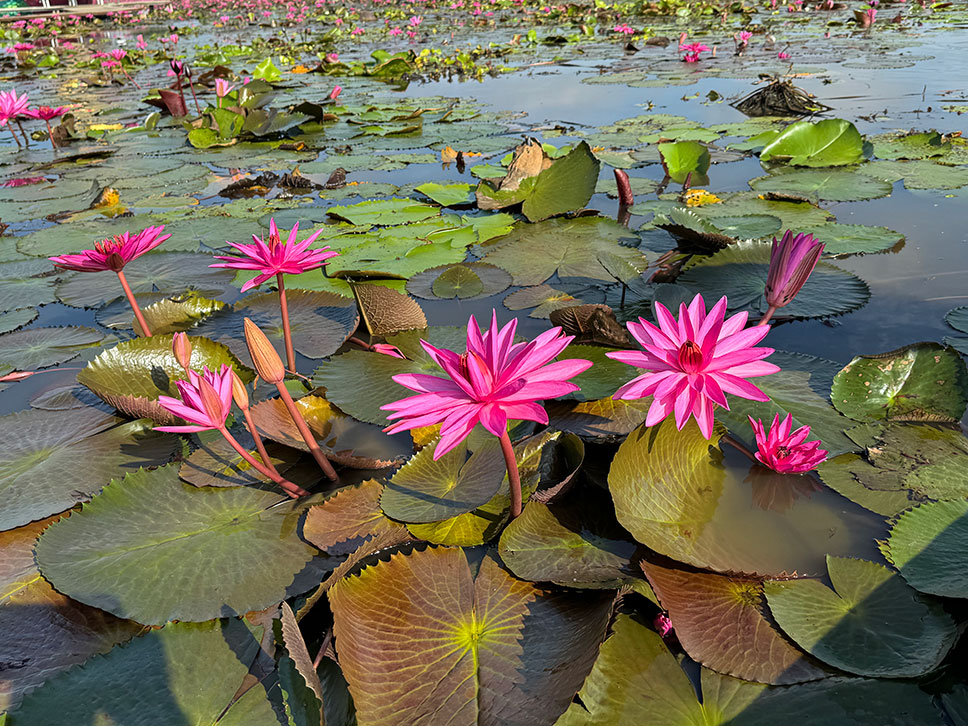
676, 493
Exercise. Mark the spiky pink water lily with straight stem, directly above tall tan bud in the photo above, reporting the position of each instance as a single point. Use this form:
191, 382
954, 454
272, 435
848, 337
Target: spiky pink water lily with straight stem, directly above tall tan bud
274, 258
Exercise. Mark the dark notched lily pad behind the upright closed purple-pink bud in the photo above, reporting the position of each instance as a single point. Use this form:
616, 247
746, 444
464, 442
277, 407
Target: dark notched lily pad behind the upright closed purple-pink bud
740, 272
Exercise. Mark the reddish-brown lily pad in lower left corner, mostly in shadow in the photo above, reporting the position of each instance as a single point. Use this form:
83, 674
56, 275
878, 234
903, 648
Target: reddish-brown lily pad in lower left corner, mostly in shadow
44, 632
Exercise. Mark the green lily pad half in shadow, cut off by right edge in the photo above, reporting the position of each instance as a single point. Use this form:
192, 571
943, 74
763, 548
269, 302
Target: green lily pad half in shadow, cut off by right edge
929, 546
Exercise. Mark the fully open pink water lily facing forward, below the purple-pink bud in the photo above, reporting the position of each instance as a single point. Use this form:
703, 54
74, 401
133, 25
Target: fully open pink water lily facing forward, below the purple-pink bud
693, 362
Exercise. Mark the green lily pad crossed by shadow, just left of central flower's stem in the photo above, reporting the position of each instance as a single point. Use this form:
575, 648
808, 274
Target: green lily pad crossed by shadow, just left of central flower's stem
424, 490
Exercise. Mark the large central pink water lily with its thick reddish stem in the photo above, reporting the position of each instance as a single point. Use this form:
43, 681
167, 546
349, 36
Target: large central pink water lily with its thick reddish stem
495, 380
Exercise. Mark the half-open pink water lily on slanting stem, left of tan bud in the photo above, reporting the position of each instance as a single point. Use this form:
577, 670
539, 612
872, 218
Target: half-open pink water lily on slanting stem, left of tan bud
206, 401
